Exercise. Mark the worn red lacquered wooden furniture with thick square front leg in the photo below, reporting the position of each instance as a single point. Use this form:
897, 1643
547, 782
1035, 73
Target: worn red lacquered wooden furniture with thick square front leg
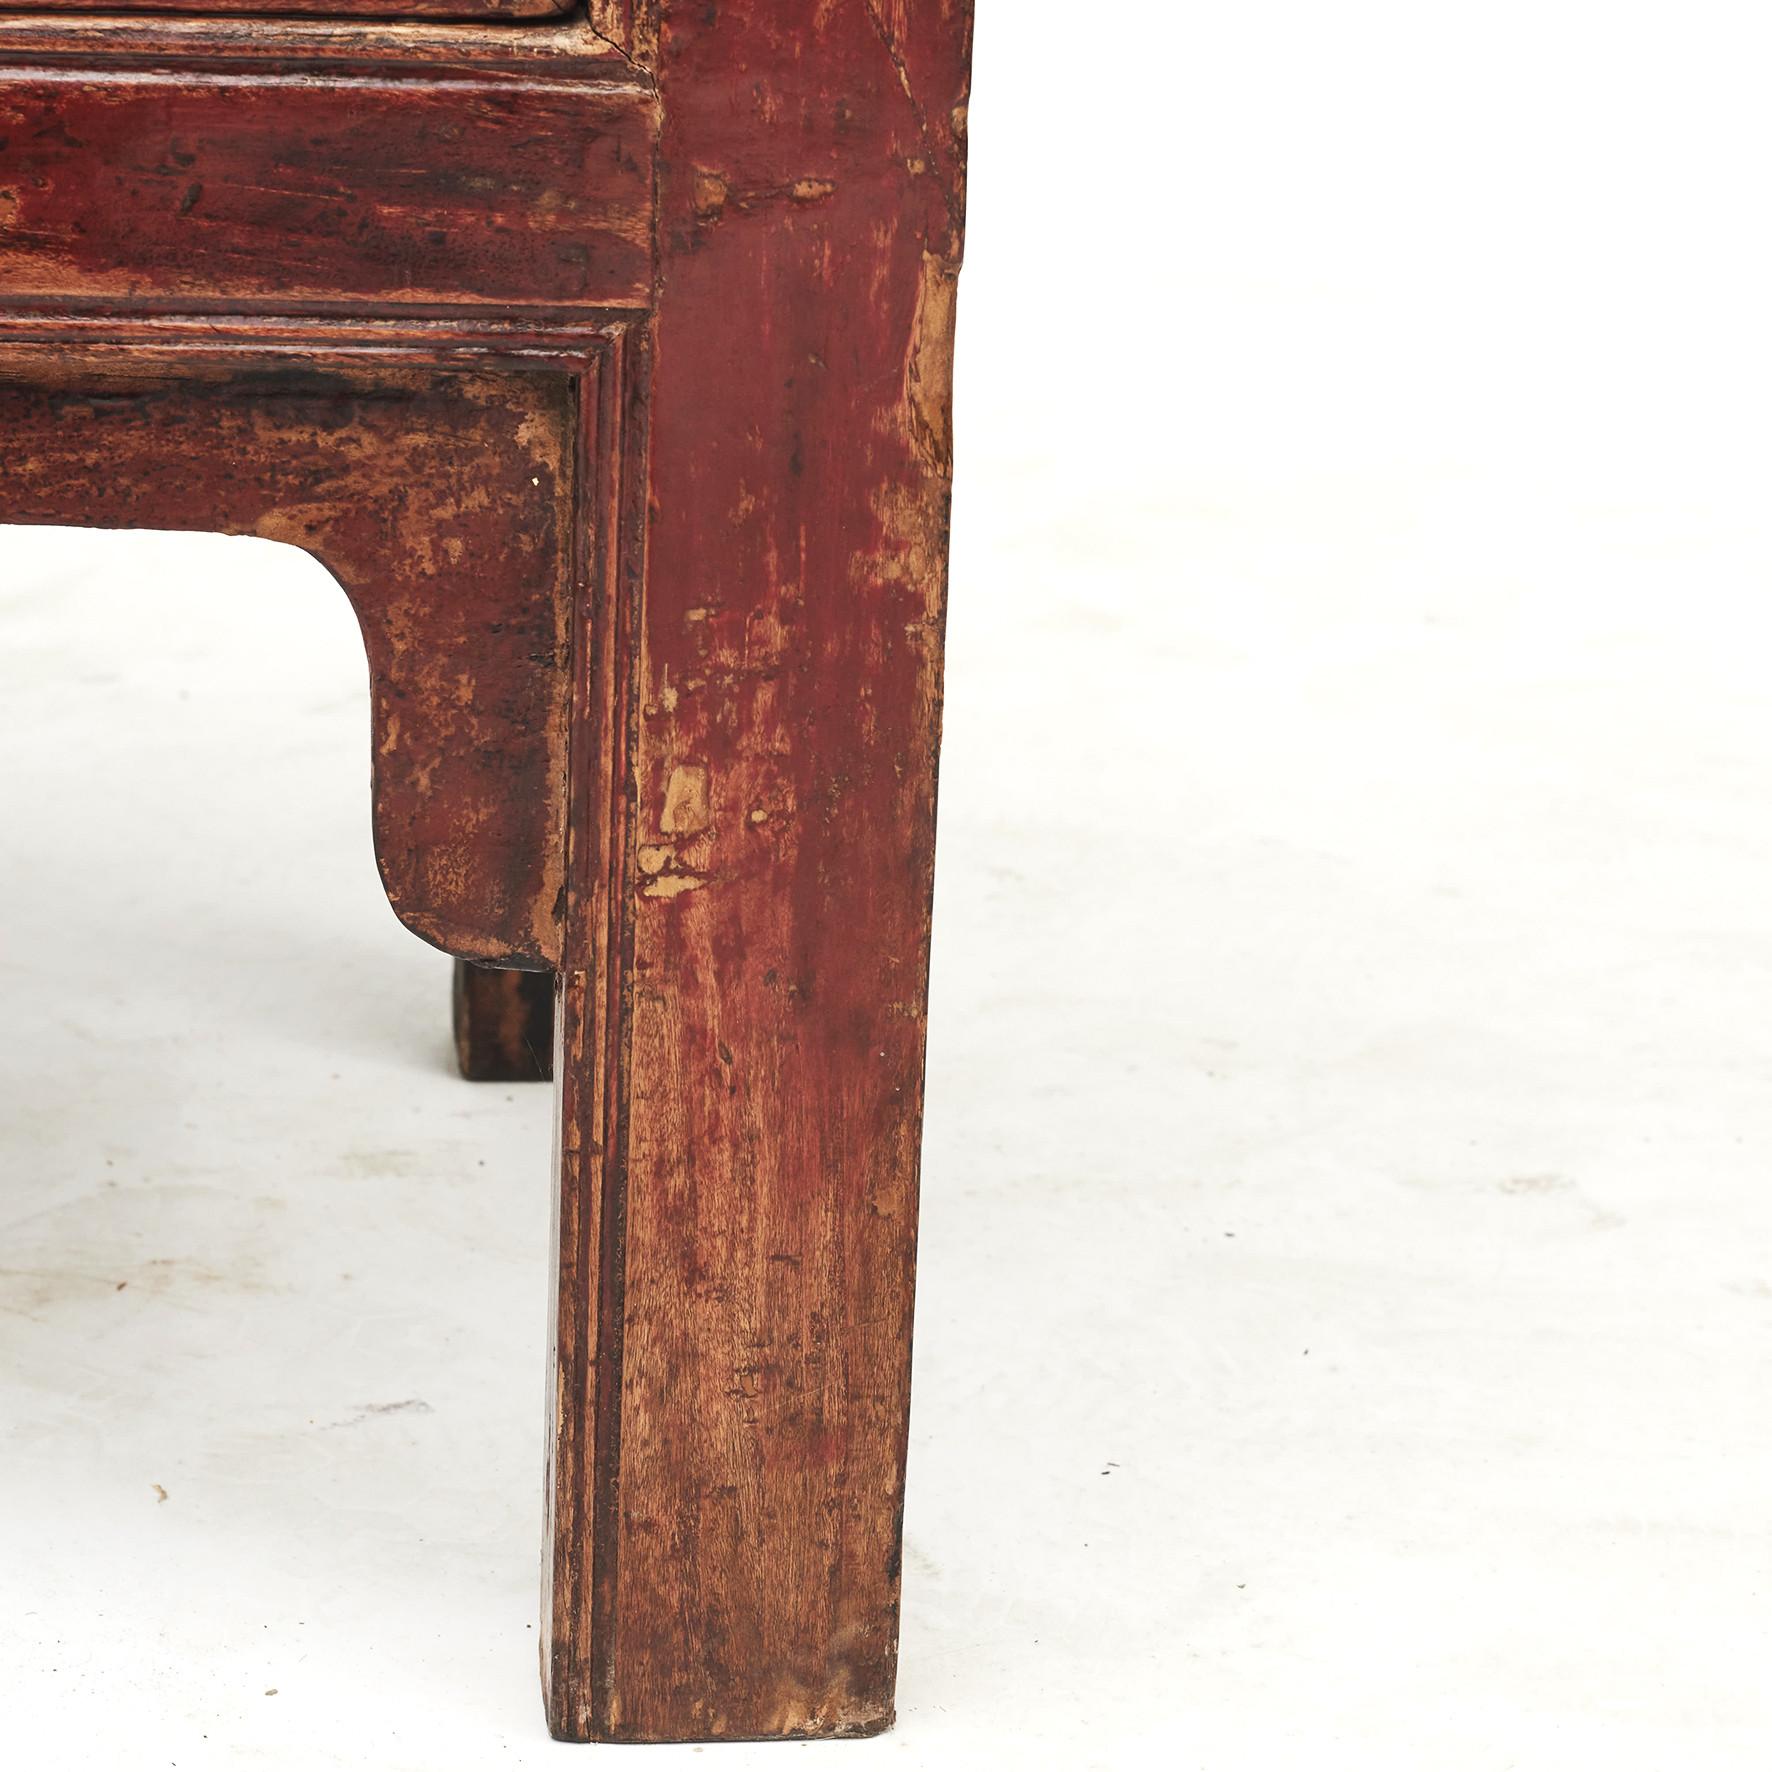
609, 369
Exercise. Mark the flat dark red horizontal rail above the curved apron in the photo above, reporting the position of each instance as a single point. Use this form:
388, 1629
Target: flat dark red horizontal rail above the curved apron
286, 194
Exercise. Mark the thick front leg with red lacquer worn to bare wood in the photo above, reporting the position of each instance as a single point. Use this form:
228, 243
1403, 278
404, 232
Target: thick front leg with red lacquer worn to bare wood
734, 1385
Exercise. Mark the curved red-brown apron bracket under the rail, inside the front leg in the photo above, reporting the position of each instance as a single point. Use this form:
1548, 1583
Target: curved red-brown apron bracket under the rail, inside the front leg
442, 504
